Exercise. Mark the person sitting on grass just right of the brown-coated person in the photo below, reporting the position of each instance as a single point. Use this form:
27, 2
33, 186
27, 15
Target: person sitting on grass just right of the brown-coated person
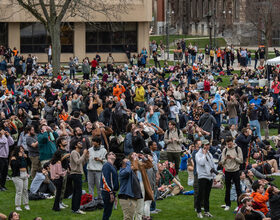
165, 186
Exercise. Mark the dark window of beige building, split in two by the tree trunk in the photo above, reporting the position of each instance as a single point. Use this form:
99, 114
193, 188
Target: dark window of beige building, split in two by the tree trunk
34, 38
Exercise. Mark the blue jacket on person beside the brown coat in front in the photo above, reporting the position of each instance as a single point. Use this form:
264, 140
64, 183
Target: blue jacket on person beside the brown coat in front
126, 180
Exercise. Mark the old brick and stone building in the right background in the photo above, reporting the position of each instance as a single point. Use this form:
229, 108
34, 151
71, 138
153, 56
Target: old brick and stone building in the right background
223, 18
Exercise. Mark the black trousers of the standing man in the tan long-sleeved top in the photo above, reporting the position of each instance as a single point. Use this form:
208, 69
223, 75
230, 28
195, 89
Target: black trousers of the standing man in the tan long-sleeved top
77, 191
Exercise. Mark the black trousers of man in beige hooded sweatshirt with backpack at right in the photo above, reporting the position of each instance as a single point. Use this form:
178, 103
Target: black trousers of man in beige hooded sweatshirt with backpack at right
235, 177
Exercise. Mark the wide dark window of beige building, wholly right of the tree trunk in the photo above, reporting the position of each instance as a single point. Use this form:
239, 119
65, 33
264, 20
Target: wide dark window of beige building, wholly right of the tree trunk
111, 37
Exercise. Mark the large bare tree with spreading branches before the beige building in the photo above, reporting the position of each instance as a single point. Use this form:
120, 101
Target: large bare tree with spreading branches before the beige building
52, 13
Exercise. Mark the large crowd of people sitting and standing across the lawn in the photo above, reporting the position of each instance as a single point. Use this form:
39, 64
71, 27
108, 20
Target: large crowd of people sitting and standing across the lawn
128, 131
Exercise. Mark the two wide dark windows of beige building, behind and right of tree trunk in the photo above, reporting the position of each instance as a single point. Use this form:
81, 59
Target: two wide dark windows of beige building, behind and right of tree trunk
100, 37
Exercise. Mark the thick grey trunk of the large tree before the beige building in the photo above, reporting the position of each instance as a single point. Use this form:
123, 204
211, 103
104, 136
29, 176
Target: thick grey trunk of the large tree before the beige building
56, 47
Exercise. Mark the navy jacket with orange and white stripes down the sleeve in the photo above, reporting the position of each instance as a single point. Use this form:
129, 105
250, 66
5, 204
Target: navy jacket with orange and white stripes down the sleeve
109, 180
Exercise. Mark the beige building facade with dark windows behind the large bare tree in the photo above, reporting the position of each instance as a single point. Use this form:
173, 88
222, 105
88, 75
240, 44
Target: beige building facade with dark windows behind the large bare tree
79, 37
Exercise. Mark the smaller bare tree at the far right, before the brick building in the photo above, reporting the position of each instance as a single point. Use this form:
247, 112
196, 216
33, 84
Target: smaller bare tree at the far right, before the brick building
264, 16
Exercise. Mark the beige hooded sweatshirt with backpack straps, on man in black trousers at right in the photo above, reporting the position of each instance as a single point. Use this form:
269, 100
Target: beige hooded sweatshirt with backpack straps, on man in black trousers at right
232, 165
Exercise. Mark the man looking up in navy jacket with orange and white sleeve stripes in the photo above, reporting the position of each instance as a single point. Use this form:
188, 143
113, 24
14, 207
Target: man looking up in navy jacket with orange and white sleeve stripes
109, 185
